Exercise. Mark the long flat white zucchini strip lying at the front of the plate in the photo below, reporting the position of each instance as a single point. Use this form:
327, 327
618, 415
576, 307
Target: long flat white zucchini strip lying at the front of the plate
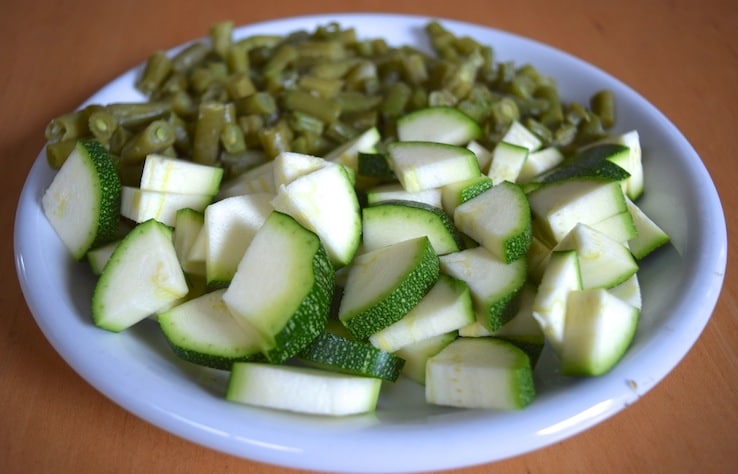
302, 389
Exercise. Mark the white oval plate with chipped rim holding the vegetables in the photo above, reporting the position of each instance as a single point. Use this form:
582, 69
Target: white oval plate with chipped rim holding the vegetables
137, 370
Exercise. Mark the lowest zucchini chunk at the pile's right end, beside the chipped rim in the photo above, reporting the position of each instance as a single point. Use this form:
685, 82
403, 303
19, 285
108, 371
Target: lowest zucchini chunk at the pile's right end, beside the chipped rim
598, 330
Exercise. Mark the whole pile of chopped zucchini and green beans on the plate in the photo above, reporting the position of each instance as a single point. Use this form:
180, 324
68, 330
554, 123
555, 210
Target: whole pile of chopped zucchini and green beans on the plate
320, 214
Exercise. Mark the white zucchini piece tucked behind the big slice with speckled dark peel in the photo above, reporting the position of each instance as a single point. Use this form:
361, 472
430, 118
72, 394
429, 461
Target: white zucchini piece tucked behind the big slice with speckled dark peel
230, 225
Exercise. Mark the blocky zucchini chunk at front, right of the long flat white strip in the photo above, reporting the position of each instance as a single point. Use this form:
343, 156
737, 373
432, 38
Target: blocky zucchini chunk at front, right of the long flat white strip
486, 373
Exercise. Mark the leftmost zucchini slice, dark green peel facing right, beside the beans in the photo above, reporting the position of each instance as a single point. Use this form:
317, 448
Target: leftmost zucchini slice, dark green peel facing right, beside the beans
82, 203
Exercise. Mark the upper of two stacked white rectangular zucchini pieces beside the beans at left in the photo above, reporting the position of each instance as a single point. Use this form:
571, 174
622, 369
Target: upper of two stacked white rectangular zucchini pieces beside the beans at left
166, 174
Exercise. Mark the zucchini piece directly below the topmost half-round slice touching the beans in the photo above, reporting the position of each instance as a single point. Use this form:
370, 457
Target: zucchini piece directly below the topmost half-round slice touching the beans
424, 165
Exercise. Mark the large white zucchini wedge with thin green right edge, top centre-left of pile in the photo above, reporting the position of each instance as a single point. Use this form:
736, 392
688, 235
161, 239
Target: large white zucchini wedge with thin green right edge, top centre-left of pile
325, 202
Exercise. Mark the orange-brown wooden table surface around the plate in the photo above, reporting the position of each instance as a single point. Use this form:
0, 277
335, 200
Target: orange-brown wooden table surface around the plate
680, 55
